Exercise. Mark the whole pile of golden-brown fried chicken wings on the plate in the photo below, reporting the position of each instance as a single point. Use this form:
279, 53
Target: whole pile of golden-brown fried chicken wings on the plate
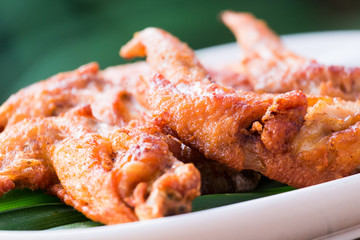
142, 140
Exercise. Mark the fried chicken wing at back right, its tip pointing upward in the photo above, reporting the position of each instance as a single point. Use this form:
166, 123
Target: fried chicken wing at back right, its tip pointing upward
273, 68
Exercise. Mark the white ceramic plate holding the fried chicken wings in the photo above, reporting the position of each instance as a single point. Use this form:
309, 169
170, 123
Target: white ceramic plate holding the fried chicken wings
331, 209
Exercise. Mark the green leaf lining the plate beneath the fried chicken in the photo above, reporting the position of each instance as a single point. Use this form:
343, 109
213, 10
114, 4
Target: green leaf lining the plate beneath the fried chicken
23, 209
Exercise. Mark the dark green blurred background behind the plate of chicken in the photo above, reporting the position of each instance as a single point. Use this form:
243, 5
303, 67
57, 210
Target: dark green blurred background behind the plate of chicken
39, 38
